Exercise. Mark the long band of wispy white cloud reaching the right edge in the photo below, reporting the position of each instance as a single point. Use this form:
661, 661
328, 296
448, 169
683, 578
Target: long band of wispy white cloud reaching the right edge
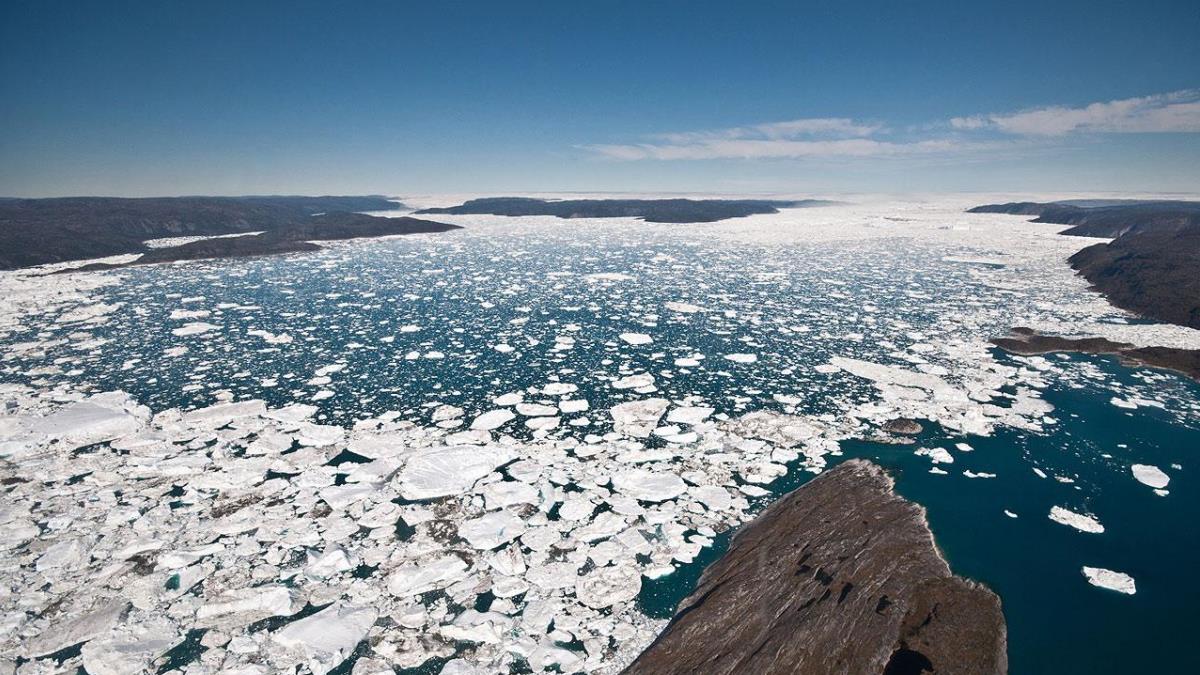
843, 138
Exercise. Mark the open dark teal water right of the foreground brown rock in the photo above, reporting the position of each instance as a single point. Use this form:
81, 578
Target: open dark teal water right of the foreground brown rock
1057, 622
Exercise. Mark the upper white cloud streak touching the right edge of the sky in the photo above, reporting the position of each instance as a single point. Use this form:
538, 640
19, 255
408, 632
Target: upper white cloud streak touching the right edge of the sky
1177, 112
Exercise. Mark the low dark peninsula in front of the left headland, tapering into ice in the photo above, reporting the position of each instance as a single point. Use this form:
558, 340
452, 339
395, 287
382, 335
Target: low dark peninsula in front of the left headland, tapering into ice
287, 240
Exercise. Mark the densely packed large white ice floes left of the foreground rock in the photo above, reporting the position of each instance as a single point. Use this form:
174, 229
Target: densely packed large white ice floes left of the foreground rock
242, 539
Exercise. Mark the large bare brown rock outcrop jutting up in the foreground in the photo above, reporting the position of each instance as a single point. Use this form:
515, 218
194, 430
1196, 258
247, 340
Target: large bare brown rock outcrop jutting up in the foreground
839, 577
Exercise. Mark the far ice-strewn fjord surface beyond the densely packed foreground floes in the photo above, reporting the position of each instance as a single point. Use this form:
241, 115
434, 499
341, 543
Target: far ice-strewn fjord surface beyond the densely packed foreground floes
530, 285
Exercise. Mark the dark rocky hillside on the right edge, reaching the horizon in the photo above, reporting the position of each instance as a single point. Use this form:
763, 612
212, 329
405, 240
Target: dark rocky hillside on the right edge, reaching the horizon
1153, 267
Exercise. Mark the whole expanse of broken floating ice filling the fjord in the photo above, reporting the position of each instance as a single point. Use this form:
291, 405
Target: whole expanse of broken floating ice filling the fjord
239, 498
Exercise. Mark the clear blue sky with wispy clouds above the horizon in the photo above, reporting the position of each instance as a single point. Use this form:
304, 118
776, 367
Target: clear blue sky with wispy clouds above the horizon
321, 98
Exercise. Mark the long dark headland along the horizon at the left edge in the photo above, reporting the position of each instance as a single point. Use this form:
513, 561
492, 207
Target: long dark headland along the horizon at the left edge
71, 229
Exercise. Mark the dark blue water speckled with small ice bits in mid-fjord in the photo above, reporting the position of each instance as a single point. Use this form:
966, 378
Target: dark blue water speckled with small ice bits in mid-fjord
464, 300
